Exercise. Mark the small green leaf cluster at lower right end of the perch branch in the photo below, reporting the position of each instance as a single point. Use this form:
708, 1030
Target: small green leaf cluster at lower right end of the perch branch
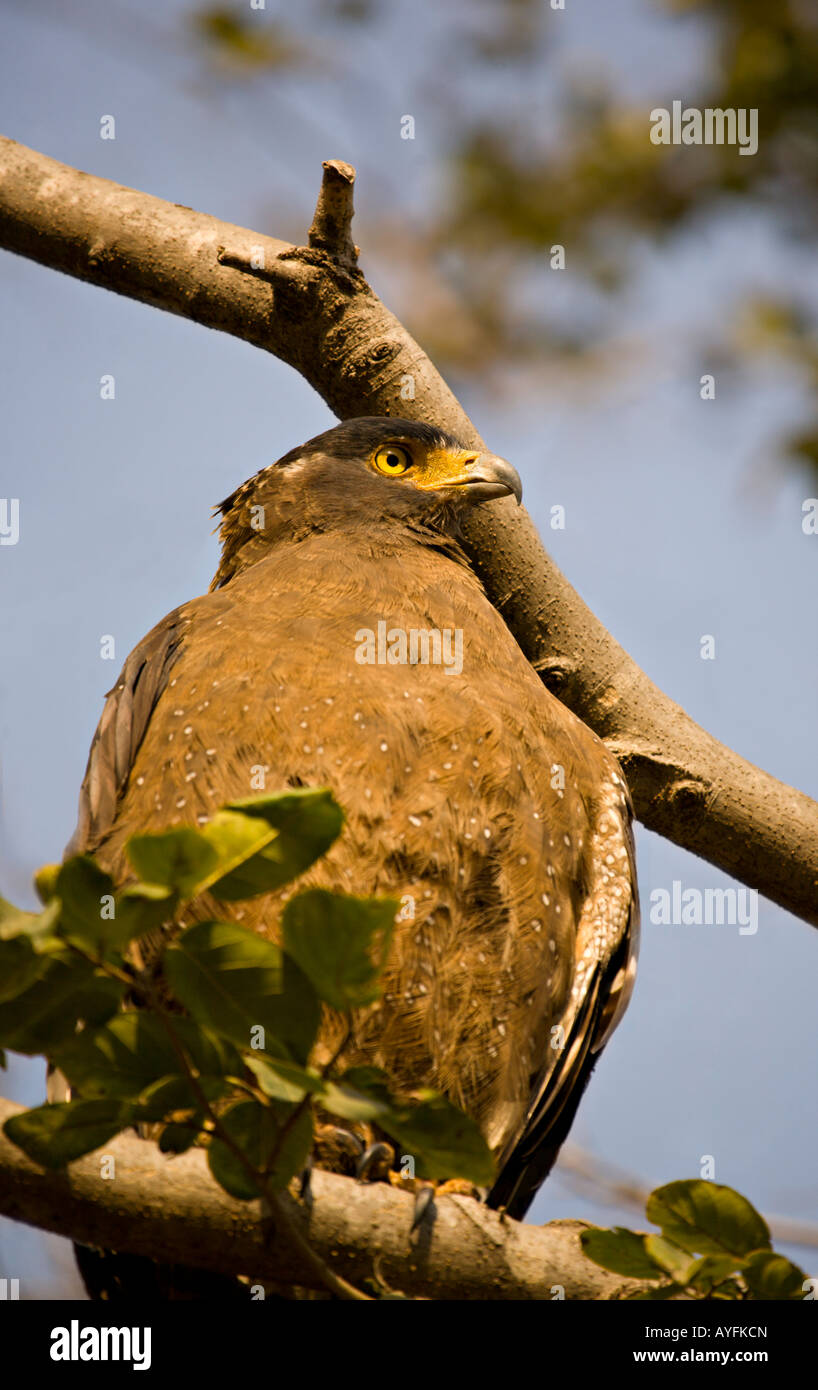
713, 1245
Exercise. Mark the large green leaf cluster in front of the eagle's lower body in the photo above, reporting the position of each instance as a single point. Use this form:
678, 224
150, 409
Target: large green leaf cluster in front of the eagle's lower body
214, 1043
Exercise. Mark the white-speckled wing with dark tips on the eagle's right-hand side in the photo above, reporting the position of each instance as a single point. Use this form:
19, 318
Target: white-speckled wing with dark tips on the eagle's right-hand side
604, 974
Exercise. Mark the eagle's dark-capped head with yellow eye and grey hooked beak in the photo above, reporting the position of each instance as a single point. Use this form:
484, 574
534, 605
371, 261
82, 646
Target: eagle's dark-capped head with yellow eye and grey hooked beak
375, 471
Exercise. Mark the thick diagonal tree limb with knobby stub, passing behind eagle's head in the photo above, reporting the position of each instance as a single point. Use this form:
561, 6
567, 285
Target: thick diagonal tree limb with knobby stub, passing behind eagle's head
312, 308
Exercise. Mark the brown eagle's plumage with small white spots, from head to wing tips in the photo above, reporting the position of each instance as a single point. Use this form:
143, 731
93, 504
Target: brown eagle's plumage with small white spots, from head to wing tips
475, 797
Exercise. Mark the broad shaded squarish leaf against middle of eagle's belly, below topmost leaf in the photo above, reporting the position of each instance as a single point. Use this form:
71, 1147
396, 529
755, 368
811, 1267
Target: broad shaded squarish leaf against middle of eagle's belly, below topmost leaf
333, 939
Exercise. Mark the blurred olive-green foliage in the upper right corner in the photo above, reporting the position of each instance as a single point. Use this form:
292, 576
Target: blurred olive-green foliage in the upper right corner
604, 167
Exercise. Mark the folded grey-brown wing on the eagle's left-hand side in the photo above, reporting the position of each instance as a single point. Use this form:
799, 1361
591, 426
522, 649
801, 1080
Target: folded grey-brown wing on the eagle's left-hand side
122, 729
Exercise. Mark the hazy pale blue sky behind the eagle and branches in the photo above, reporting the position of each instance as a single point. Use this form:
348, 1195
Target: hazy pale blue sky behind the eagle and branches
681, 518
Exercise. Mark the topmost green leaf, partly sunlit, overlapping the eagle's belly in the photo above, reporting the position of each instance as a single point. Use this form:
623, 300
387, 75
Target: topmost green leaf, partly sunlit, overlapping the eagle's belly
308, 821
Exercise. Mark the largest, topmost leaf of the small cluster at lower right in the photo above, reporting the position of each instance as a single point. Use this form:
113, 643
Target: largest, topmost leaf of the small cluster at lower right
707, 1218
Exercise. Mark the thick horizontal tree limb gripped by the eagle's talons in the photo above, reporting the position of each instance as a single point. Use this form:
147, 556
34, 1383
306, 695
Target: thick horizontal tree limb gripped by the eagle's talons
172, 1210
